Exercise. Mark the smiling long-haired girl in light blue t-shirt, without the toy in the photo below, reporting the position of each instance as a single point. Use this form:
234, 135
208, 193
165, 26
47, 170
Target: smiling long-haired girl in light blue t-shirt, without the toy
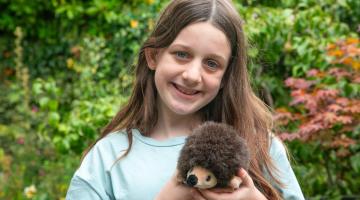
191, 69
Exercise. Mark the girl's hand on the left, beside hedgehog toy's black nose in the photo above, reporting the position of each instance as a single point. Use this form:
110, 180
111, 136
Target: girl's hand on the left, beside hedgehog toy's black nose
174, 190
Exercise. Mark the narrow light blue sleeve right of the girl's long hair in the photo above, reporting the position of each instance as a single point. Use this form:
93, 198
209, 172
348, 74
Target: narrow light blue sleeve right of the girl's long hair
291, 189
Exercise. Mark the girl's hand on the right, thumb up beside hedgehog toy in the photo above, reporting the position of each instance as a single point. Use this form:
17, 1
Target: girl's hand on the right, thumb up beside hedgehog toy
247, 190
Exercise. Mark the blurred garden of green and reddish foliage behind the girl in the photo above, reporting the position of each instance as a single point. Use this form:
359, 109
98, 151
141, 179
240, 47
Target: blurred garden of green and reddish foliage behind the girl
66, 67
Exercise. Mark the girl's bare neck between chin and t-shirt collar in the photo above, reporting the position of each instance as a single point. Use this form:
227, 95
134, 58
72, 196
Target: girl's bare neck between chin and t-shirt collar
171, 125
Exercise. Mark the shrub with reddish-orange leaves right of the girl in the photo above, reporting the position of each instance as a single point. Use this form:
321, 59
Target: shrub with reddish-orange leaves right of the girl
325, 105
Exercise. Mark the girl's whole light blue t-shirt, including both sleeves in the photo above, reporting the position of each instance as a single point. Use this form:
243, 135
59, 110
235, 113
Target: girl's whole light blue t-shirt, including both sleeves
144, 171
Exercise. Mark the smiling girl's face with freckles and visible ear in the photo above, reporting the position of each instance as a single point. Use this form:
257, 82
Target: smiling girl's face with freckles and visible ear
188, 73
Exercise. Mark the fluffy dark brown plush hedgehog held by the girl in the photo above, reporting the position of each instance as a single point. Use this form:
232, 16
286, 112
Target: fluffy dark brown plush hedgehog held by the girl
211, 157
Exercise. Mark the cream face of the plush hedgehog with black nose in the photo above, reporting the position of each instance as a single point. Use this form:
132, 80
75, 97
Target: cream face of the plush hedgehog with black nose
200, 178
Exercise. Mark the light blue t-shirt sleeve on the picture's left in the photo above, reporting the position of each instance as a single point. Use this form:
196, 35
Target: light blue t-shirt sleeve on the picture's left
92, 180
